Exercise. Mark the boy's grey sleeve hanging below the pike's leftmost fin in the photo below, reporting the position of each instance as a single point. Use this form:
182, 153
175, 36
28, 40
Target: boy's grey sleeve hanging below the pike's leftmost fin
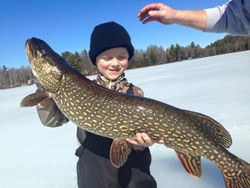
48, 112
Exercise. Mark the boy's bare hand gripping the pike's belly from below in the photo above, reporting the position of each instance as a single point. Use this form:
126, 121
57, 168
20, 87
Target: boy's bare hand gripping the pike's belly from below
142, 140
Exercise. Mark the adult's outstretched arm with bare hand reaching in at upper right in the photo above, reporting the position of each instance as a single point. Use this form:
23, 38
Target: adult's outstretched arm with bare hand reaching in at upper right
232, 17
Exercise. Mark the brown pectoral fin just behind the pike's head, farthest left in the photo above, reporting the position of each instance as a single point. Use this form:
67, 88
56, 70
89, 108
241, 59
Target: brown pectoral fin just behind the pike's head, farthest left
34, 98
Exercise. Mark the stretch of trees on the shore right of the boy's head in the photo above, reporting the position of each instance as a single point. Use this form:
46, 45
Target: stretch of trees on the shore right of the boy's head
155, 55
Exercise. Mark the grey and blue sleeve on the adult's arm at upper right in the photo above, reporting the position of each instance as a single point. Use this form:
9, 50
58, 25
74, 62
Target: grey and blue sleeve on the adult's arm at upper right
232, 17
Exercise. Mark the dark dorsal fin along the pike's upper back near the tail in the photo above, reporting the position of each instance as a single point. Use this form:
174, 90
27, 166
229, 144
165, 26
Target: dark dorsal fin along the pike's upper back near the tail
221, 134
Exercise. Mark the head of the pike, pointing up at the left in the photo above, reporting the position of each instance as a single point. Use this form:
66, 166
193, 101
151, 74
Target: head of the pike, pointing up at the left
47, 66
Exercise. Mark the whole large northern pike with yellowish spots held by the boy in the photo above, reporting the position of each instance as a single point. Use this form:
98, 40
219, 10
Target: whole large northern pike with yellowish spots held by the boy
119, 116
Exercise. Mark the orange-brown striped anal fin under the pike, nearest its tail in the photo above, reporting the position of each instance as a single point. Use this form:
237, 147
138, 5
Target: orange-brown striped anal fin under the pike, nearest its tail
192, 164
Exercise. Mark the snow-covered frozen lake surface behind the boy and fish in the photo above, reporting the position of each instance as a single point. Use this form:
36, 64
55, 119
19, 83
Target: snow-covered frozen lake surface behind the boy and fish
32, 155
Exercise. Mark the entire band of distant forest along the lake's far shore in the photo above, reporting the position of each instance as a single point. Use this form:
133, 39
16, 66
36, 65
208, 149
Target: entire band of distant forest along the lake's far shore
153, 55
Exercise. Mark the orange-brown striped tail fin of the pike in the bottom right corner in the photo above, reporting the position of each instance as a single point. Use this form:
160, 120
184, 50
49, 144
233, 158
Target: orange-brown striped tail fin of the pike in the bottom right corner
239, 178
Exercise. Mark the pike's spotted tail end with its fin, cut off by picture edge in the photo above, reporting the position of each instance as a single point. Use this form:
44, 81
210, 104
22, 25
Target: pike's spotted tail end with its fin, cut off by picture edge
237, 175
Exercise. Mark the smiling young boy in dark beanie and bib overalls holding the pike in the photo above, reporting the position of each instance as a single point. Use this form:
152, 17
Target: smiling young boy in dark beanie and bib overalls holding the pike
110, 50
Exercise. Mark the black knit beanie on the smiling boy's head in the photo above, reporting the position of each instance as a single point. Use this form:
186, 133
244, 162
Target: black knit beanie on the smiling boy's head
109, 35
